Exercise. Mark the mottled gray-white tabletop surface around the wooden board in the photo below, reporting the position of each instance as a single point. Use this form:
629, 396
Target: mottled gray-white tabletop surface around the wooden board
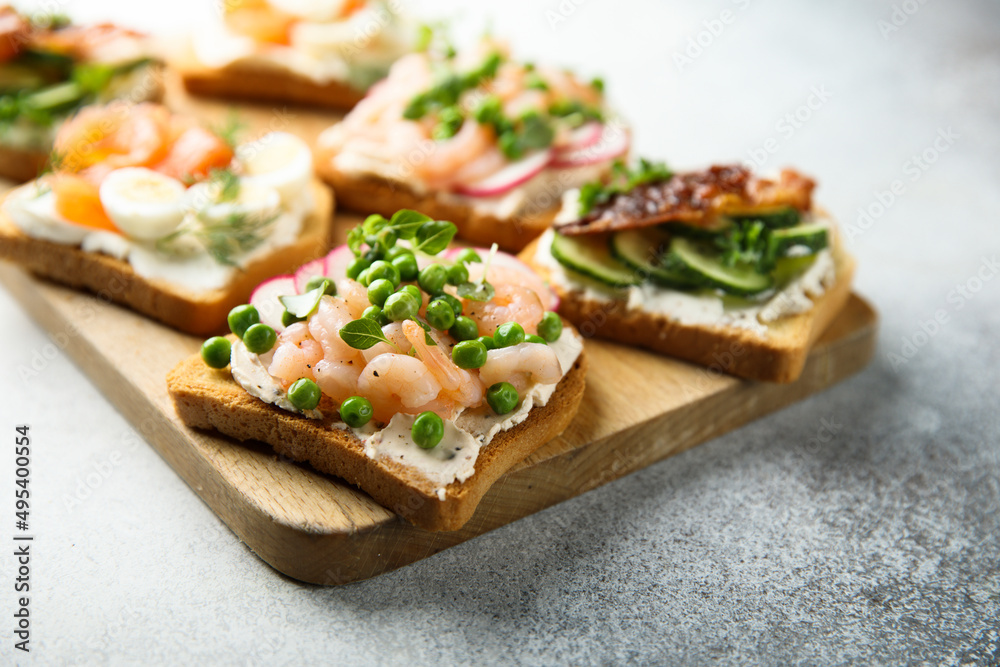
860, 526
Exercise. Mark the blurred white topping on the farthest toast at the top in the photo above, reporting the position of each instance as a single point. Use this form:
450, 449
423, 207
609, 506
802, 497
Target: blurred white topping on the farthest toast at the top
357, 51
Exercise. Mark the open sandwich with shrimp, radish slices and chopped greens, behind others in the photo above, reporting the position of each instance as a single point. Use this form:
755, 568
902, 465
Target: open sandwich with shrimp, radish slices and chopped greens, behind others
473, 137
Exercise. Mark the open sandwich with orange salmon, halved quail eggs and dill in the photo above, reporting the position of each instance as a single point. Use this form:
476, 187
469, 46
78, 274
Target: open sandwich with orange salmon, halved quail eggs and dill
153, 211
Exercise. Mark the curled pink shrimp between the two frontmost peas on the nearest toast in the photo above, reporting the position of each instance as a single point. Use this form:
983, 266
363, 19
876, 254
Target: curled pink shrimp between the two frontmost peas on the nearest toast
401, 383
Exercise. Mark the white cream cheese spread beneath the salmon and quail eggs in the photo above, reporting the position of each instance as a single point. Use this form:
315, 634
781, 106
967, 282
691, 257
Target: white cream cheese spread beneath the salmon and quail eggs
32, 209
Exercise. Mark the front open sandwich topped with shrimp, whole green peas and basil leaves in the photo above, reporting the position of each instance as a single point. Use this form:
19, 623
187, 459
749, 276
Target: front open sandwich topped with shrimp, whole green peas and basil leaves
419, 374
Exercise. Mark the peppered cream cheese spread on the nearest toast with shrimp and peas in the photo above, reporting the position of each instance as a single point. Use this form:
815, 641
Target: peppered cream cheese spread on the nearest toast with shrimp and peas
454, 458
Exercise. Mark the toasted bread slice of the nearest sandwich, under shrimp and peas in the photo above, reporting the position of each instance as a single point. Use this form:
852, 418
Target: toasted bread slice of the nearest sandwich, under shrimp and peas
211, 399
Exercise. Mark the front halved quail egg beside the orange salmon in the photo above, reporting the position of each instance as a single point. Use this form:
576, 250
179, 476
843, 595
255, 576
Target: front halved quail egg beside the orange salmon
143, 203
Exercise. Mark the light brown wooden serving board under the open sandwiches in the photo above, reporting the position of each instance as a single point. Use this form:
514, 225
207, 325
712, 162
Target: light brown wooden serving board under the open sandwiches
638, 408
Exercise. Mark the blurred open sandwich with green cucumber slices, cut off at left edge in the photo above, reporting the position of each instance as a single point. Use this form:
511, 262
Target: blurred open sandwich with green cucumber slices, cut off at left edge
49, 69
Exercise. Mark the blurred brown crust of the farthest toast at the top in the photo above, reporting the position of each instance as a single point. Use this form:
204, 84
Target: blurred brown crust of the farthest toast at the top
246, 81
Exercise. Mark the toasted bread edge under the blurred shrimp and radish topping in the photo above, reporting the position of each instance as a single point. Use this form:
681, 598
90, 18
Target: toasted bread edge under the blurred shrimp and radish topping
373, 194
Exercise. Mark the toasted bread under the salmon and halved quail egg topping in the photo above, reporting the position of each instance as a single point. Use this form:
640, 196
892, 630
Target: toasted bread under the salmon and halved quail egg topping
193, 312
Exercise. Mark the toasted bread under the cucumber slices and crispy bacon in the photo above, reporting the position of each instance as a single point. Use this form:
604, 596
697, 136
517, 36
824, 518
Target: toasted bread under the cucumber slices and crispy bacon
778, 356
